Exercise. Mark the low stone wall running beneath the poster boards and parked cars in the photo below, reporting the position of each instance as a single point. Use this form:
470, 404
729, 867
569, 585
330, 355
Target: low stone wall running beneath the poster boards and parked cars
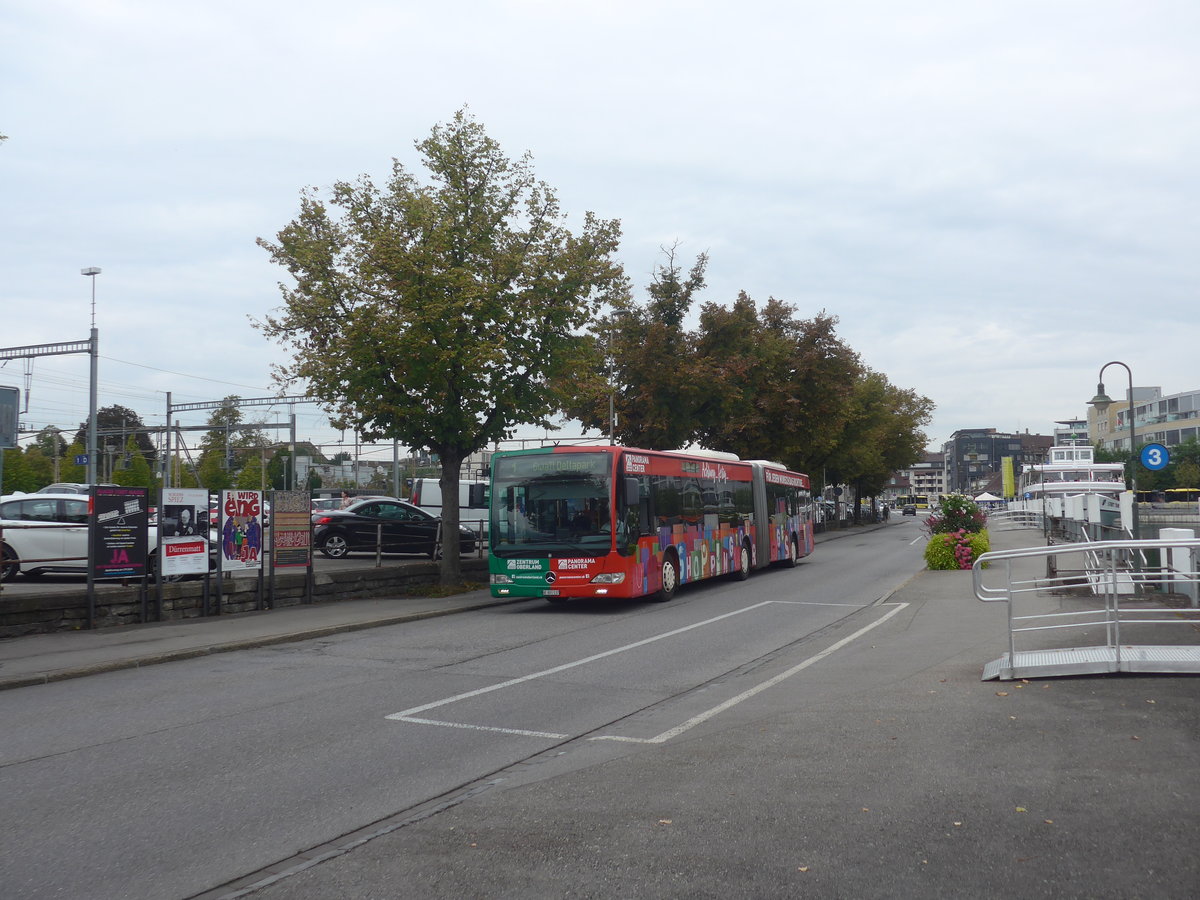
68, 609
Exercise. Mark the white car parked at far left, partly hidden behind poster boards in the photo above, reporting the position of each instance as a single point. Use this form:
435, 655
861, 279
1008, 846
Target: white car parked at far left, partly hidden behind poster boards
64, 548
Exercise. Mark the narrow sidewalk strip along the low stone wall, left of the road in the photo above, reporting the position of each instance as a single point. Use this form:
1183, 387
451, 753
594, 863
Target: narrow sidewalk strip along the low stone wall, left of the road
40, 659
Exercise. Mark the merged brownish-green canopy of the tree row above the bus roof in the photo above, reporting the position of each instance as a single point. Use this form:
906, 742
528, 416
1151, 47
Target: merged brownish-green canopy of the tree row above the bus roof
761, 383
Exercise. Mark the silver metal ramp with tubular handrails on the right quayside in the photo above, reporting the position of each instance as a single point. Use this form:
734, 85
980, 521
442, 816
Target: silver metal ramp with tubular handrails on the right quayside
1049, 592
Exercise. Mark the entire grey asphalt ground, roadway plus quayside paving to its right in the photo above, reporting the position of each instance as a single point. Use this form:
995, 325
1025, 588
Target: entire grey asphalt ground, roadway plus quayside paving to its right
819, 731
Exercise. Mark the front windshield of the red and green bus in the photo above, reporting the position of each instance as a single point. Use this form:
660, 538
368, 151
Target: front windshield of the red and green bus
553, 505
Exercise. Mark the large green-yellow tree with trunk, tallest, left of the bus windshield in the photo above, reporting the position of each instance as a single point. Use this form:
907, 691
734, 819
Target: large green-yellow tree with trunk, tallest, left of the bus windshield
445, 314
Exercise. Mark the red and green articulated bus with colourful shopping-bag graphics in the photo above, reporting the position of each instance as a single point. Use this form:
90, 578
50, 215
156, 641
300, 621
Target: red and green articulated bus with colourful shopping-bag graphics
619, 523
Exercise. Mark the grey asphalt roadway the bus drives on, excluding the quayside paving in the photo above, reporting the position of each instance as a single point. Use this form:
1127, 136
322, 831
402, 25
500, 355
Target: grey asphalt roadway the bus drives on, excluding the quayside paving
170, 783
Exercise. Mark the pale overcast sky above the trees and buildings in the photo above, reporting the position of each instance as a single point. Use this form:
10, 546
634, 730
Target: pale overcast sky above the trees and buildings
995, 199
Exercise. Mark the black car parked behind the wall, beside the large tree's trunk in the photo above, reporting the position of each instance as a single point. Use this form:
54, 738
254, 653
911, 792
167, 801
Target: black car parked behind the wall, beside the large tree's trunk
398, 527
